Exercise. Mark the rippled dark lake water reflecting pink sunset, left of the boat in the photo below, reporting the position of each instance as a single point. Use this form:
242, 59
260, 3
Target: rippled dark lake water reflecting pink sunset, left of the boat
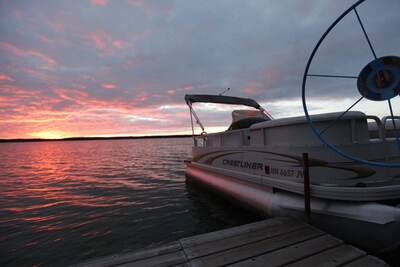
64, 202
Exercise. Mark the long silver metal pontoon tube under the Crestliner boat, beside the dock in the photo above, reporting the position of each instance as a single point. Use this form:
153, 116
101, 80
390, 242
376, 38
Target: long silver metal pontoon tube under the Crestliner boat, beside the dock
368, 225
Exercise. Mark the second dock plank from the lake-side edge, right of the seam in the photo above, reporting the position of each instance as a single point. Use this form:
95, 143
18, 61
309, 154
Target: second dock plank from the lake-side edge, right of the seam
257, 248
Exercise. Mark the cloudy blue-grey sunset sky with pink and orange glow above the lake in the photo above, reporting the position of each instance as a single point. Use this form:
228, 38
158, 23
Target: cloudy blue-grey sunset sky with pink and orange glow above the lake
122, 67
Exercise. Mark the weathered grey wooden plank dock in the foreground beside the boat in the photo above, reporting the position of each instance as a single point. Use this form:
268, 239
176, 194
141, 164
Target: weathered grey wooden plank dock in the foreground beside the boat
271, 242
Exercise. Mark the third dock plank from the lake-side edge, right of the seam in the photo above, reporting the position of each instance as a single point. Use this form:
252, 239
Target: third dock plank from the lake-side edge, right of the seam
292, 253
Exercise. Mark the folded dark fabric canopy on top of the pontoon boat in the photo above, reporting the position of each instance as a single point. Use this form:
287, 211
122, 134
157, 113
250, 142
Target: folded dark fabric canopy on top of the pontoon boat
220, 99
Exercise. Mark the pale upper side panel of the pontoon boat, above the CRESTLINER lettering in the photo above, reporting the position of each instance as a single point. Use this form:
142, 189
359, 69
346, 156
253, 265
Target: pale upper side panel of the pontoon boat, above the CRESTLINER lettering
297, 133
